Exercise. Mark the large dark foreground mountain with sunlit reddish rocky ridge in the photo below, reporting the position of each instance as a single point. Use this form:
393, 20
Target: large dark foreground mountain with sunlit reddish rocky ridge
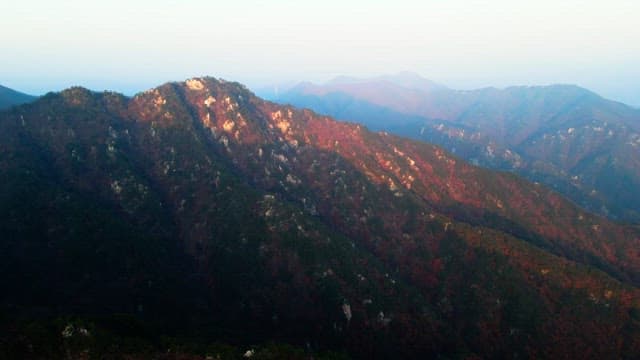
197, 213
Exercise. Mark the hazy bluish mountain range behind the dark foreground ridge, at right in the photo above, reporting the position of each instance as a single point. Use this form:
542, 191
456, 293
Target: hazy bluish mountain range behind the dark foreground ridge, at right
564, 136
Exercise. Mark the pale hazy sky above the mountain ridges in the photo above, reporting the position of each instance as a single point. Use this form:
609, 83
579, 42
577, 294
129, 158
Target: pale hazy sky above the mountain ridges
133, 45
